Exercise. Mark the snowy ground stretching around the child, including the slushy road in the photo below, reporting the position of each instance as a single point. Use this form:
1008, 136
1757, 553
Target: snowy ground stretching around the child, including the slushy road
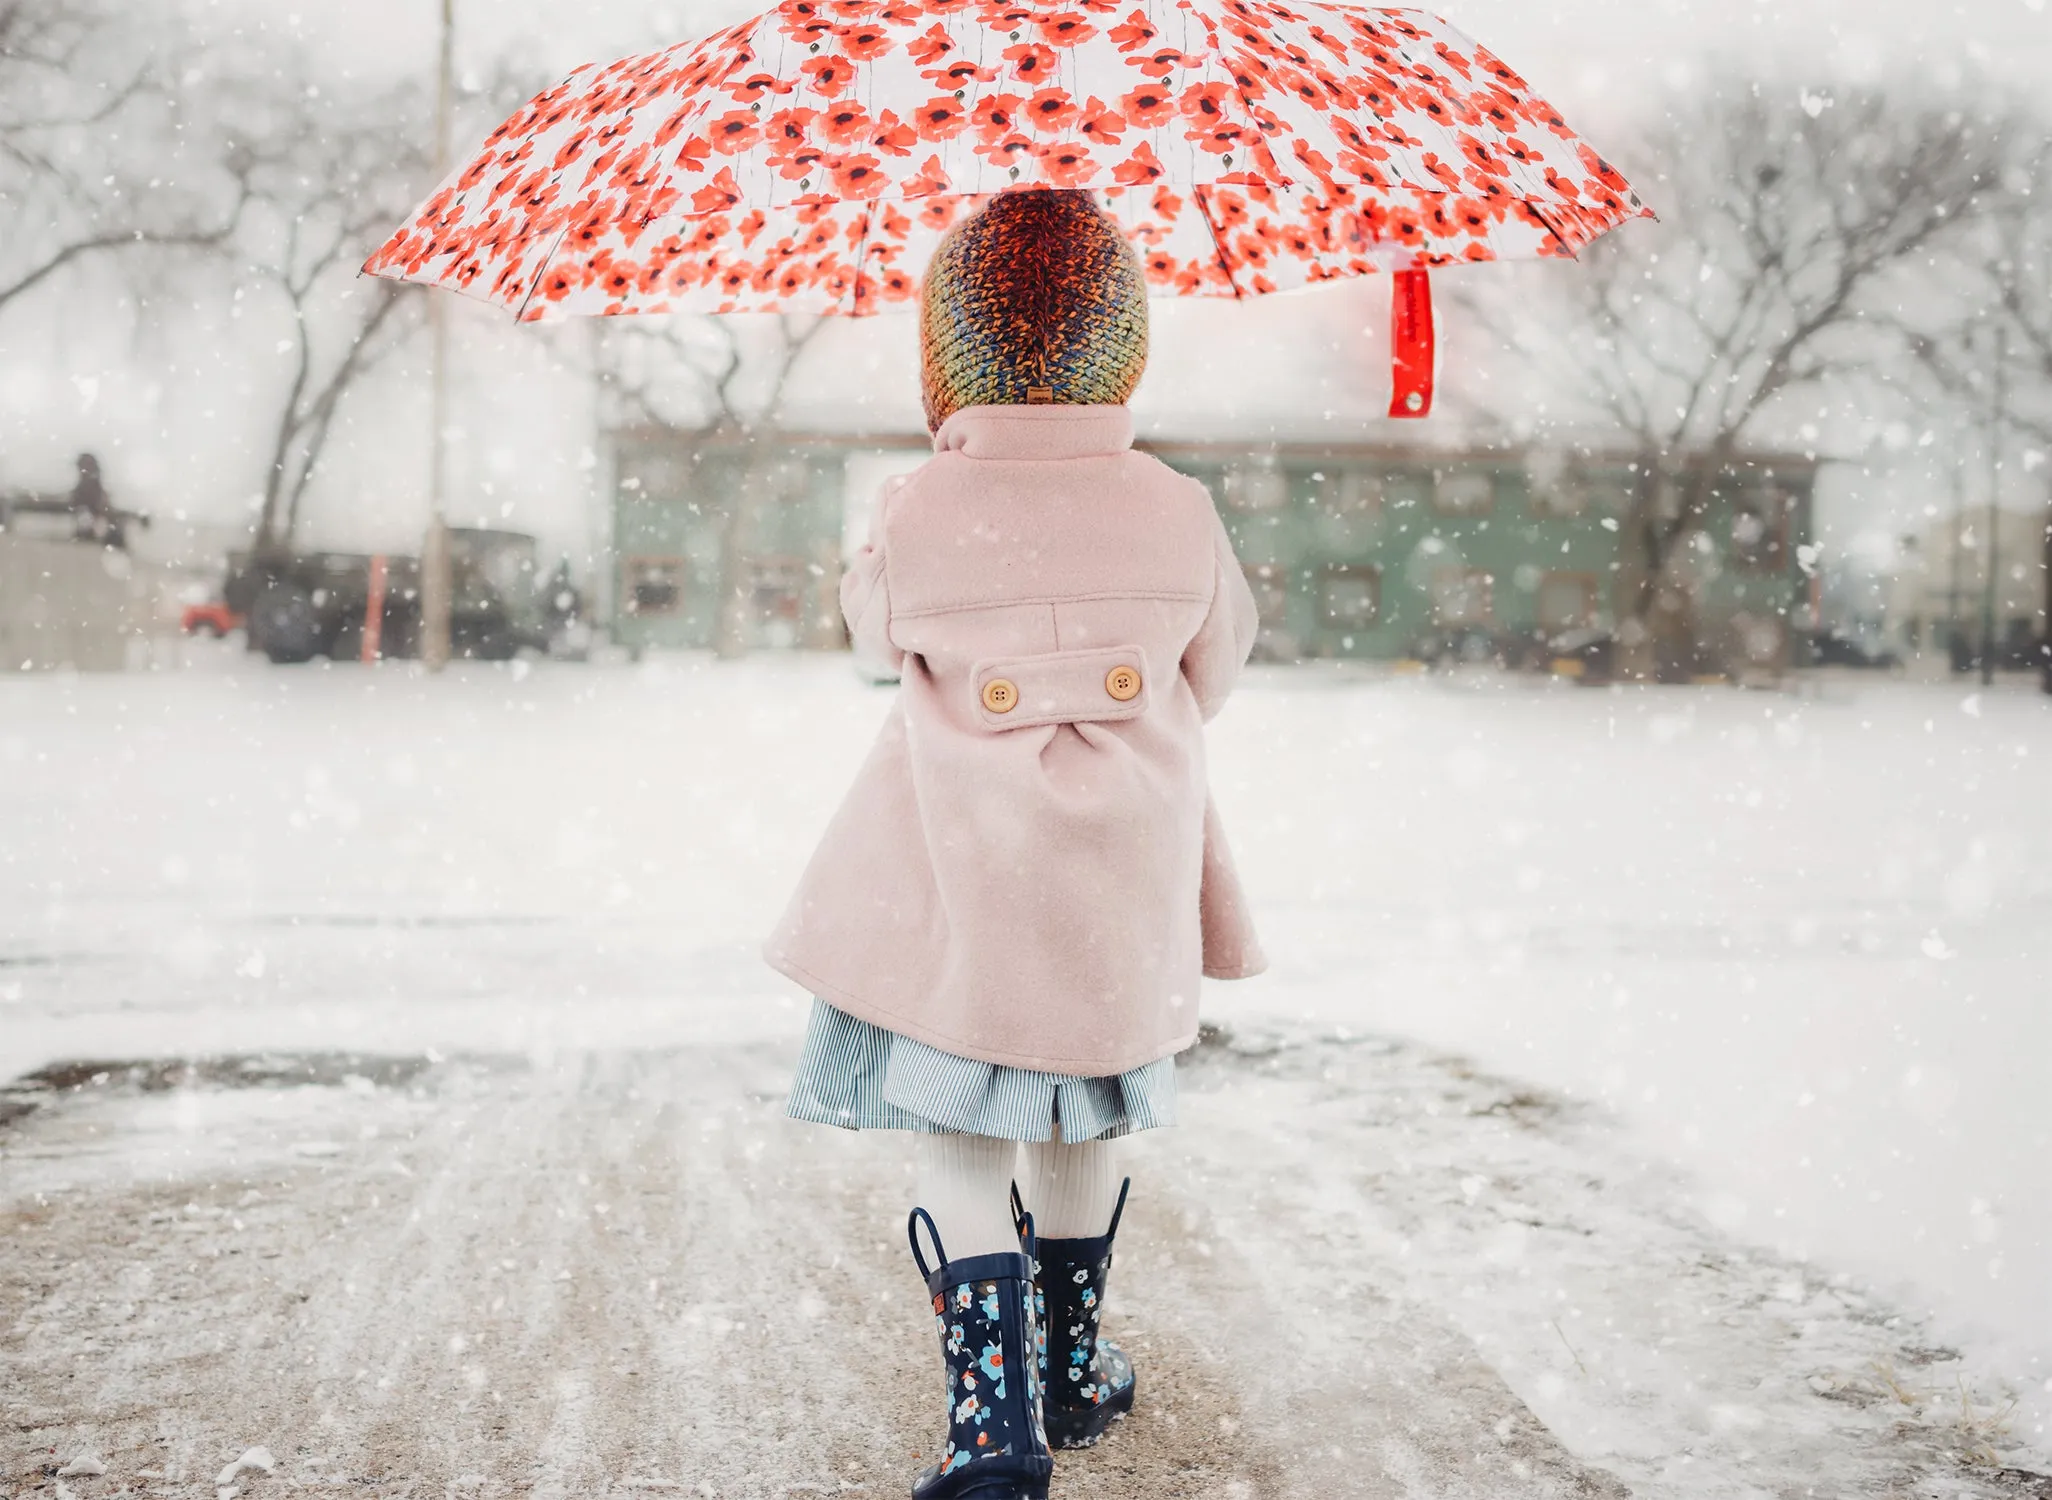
491, 1189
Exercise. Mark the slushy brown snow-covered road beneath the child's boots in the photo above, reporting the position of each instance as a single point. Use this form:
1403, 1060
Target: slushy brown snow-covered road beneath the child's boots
615, 1273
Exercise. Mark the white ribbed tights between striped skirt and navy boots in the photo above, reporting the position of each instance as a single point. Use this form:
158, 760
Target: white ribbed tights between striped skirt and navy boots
965, 1183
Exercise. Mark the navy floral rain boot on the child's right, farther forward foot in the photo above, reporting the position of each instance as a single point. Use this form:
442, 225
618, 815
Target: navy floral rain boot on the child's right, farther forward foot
1089, 1378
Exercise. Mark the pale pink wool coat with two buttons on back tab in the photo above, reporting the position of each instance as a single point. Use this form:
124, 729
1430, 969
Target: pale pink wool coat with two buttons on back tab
1033, 873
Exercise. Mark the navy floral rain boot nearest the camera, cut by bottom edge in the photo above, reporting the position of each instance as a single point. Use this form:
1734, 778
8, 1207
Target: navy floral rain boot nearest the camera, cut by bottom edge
988, 1339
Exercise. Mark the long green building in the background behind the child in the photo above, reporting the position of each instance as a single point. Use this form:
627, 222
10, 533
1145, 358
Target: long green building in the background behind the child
1370, 553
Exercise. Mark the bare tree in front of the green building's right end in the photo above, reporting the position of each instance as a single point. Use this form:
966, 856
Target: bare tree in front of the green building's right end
1792, 225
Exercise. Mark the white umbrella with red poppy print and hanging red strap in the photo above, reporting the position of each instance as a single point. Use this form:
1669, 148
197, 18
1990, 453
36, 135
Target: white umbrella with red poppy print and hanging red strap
812, 159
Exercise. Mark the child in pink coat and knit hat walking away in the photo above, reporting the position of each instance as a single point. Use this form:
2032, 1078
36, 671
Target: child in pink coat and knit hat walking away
1007, 922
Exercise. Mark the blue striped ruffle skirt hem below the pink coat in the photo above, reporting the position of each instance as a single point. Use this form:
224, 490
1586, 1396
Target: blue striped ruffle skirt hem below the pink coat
867, 1078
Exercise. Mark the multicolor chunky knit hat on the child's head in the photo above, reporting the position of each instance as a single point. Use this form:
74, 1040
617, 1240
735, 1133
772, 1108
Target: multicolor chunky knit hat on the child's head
1035, 301
